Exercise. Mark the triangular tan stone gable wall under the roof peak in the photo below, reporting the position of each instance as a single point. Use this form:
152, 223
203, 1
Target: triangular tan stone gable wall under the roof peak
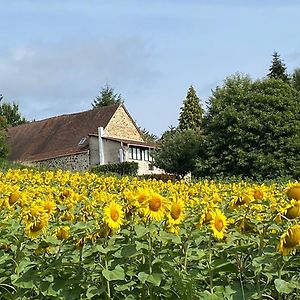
122, 126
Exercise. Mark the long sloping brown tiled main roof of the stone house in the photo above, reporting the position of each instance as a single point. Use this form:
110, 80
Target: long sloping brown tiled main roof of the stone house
57, 136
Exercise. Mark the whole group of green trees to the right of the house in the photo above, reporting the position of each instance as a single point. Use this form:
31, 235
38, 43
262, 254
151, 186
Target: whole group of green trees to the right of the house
251, 129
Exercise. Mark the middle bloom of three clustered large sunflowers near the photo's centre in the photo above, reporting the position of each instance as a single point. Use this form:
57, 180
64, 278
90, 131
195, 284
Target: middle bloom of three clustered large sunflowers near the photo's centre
155, 207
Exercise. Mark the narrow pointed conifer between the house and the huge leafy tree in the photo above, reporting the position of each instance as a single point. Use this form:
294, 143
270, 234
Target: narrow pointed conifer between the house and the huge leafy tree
191, 112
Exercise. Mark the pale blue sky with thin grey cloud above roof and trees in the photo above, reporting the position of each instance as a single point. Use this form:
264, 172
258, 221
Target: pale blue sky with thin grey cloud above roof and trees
56, 56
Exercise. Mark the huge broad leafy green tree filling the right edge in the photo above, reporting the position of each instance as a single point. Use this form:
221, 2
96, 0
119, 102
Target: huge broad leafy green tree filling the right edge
252, 129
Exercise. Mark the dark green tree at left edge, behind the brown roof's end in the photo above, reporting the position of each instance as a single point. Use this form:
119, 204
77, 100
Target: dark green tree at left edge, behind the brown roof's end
11, 113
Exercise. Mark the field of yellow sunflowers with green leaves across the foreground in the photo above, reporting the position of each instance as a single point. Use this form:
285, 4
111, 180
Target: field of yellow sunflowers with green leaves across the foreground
72, 236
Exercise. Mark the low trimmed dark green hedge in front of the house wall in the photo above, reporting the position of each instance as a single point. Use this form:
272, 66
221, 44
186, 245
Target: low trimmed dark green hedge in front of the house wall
122, 168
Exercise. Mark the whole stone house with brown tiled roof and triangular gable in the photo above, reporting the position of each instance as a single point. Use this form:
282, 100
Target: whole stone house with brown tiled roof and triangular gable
81, 140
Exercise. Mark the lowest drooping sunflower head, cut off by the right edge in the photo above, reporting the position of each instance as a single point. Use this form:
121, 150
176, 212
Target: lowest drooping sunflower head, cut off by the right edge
289, 240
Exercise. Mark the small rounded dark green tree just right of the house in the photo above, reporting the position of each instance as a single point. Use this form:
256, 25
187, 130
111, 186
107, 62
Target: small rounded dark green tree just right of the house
178, 152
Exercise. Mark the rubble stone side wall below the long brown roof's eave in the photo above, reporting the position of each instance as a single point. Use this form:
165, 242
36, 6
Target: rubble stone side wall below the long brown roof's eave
78, 162
